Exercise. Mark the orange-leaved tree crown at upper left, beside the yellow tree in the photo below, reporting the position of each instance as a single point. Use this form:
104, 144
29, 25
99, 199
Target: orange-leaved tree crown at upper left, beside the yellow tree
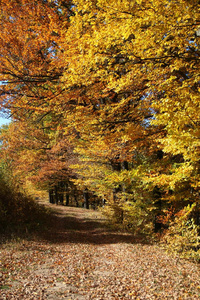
31, 55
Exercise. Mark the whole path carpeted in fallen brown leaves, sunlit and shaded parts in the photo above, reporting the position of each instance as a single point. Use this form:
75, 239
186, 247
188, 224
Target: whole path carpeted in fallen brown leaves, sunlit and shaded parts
80, 258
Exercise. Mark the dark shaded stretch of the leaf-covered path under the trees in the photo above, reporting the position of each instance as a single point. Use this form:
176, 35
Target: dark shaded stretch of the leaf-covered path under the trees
77, 225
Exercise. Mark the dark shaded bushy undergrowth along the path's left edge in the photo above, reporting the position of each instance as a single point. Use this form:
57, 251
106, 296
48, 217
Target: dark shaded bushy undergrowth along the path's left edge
20, 215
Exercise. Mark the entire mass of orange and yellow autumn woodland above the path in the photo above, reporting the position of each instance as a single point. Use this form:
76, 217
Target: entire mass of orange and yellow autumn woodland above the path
105, 104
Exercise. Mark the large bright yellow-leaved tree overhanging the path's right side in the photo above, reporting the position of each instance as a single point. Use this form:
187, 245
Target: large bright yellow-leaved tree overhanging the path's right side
136, 62
